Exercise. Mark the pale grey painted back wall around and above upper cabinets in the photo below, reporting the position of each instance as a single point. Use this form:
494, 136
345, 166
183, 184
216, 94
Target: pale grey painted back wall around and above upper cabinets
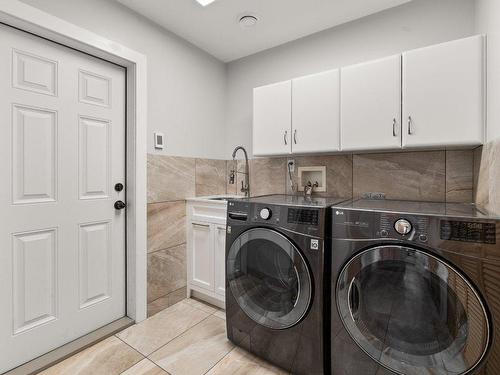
417, 24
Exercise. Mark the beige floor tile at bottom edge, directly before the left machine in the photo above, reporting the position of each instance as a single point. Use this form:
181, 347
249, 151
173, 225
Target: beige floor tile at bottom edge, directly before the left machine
240, 362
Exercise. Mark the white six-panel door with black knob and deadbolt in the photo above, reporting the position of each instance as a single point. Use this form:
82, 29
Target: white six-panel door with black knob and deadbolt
62, 243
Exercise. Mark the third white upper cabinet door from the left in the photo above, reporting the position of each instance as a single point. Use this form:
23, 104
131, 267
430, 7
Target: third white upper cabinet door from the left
371, 105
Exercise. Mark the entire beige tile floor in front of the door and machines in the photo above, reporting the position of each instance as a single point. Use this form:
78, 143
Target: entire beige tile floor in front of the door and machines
188, 338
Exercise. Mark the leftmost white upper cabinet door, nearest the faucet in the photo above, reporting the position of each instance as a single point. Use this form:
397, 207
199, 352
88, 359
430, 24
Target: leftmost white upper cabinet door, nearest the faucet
272, 119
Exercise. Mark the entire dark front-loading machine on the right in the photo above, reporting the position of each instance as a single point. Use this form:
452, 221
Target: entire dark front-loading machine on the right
415, 289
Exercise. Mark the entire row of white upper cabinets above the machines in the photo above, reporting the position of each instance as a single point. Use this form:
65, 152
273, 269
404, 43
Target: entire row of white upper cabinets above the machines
431, 97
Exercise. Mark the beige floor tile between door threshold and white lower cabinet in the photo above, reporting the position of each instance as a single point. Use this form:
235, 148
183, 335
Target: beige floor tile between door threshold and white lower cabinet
163, 327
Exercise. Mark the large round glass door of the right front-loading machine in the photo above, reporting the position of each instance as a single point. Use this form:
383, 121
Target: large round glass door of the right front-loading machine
411, 312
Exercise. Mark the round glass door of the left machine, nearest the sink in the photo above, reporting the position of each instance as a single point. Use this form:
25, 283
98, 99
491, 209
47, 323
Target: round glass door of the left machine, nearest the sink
269, 278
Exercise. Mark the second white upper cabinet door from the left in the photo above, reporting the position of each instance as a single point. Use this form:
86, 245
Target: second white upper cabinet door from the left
316, 112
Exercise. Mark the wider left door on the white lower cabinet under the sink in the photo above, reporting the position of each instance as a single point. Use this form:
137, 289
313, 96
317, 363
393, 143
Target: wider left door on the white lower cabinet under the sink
202, 256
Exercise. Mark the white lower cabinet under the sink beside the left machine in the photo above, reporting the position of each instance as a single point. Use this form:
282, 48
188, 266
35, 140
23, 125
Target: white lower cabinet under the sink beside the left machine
206, 250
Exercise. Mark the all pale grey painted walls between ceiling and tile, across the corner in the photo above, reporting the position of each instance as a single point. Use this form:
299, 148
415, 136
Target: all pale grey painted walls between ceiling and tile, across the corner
194, 98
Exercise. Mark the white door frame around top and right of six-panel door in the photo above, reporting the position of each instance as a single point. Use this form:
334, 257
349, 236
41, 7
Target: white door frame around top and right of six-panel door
32, 20
